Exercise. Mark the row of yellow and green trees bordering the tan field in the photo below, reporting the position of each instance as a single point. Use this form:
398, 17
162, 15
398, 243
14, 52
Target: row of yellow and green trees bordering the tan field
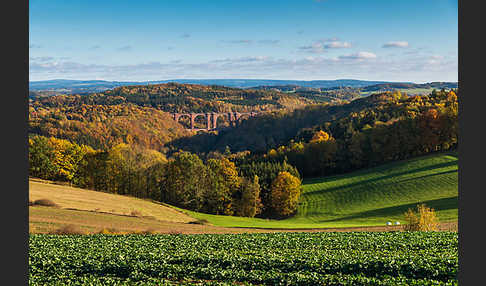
214, 186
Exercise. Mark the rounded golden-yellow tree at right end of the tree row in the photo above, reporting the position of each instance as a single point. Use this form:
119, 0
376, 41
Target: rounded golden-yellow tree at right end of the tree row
285, 193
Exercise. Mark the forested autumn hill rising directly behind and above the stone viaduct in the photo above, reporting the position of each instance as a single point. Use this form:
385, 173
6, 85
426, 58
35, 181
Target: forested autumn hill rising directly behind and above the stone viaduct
174, 97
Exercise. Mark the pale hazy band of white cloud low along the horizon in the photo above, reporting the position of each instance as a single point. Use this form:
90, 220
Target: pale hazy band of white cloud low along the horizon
361, 65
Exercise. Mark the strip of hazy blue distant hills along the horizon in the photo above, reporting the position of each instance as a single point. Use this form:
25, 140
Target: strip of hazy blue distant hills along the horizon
315, 90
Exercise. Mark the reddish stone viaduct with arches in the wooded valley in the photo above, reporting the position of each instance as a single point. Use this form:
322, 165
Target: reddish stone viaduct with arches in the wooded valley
212, 118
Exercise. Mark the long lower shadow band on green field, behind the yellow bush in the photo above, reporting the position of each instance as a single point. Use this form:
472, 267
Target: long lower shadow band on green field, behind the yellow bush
438, 205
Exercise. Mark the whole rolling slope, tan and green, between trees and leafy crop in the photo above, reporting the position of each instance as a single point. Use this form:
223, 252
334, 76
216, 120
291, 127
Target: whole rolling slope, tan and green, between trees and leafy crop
366, 198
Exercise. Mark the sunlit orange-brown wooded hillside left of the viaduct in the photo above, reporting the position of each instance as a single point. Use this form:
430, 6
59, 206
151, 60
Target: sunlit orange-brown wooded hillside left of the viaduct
103, 126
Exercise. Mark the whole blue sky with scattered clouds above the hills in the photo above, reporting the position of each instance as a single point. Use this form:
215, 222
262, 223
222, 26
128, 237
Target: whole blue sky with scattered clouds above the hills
399, 40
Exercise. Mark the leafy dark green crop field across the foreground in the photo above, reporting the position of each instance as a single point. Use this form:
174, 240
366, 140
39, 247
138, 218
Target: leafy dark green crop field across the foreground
353, 258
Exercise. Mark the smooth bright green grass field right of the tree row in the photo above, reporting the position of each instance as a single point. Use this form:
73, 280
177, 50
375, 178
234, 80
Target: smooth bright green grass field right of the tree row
369, 197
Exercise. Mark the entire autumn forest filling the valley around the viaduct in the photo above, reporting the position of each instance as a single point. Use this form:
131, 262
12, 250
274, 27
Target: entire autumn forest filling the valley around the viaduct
124, 141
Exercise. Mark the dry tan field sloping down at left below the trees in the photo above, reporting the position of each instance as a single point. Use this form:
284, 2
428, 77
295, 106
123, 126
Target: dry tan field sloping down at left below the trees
92, 211
